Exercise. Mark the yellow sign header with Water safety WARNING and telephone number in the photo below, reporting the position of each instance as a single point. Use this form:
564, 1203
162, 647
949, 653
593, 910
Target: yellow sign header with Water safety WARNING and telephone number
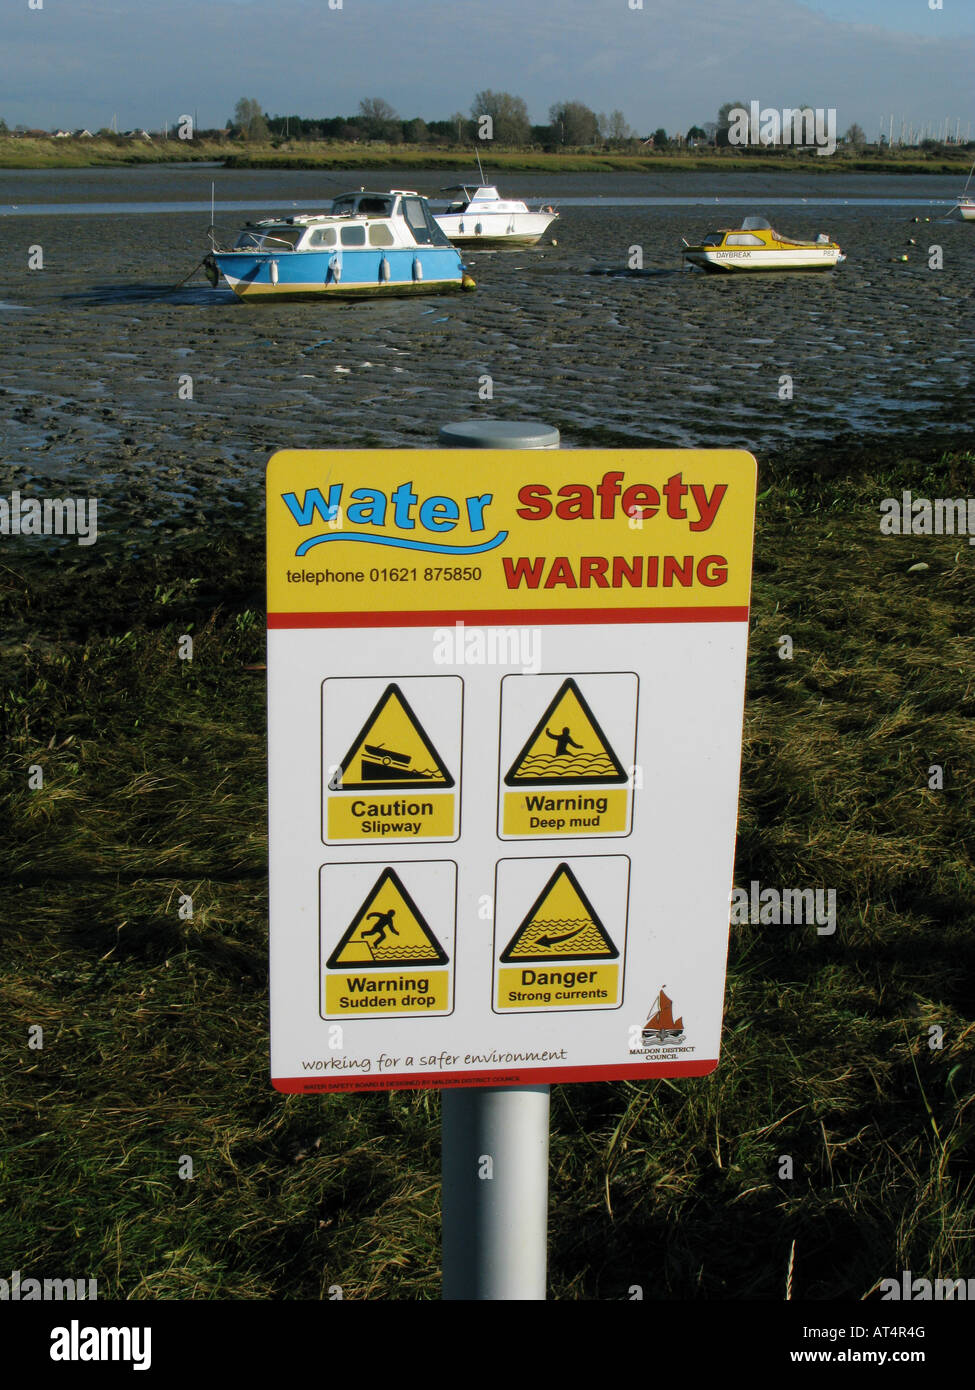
378, 533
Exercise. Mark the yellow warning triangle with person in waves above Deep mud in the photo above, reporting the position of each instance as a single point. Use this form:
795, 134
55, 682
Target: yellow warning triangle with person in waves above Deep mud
567, 746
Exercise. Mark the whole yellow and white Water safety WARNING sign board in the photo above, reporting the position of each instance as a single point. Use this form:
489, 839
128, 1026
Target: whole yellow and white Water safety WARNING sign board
506, 697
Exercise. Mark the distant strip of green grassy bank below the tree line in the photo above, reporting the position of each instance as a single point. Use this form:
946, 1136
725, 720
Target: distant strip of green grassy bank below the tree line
33, 154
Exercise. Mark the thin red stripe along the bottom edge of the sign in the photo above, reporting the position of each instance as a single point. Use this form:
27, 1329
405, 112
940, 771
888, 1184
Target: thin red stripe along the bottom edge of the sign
538, 1077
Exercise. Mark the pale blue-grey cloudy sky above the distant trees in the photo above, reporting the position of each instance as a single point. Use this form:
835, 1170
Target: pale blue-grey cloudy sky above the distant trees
670, 65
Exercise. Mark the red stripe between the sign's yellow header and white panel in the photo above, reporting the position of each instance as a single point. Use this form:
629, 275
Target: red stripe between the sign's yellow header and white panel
511, 618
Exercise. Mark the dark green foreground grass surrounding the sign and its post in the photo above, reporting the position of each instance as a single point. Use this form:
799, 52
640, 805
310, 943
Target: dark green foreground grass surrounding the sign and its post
156, 1027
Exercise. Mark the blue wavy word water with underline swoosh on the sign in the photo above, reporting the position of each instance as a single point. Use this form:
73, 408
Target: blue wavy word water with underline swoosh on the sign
369, 508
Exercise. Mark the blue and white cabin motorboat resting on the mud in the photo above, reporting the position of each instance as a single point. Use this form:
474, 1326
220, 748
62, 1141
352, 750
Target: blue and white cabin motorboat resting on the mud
368, 244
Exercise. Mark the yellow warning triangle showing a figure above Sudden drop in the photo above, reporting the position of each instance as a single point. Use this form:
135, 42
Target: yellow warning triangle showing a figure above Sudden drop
389, 931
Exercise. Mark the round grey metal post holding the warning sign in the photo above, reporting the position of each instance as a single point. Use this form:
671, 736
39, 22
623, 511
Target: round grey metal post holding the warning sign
494, 1140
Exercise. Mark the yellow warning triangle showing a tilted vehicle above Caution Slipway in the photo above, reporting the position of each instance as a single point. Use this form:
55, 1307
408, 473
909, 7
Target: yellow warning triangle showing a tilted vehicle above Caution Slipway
392, 753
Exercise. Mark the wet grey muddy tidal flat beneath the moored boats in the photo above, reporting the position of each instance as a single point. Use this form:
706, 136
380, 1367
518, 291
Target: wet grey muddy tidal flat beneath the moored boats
101, 354
